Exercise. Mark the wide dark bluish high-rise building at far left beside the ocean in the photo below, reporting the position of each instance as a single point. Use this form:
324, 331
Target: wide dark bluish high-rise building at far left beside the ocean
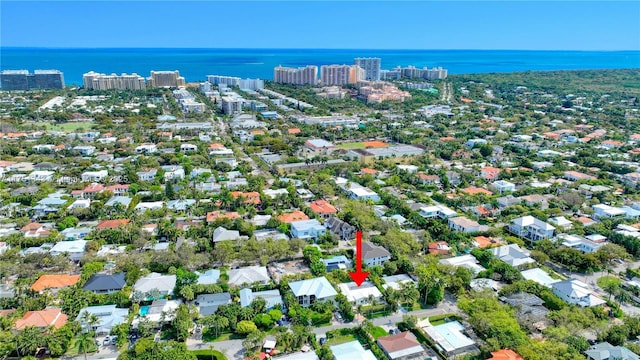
23, 80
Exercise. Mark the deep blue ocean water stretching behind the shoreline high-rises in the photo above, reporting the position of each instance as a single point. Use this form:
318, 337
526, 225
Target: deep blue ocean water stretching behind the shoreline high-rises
196, 64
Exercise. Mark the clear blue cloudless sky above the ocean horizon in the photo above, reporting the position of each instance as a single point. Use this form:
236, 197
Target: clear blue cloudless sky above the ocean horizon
539, 25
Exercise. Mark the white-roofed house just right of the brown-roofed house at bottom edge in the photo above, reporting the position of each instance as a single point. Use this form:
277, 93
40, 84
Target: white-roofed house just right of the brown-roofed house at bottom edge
450, 338
